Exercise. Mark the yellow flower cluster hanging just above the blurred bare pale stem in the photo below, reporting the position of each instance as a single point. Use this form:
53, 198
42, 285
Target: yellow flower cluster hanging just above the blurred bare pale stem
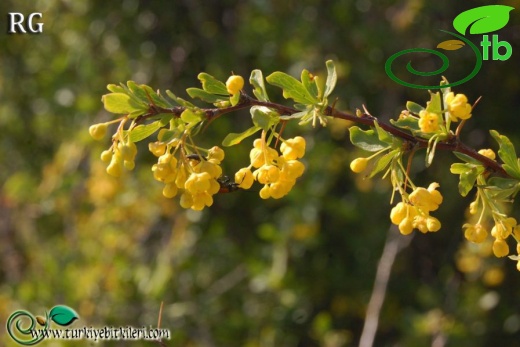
415, 214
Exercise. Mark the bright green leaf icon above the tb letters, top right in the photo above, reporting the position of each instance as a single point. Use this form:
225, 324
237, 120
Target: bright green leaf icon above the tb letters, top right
483, 19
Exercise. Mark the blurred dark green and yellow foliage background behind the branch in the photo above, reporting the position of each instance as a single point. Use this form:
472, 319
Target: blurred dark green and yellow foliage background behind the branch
245, 272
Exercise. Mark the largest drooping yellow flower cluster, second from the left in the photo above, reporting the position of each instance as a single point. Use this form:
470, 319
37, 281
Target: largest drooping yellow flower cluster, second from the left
196, 178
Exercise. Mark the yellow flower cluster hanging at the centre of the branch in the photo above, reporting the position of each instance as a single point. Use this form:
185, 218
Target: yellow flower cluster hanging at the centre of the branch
278, 173
